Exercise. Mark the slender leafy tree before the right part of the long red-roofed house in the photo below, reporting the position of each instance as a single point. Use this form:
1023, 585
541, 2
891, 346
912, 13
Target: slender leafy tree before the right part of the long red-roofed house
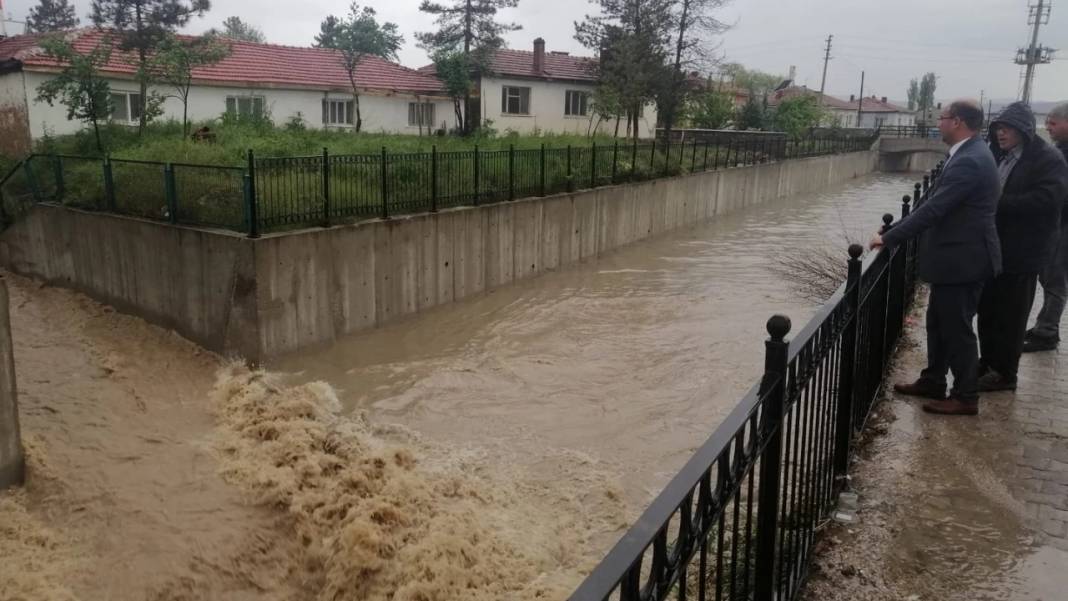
357, 37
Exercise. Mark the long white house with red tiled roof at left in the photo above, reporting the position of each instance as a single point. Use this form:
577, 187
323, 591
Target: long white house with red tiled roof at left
280, 82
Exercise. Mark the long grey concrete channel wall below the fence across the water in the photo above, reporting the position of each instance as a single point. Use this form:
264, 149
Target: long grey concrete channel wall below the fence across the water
286, 292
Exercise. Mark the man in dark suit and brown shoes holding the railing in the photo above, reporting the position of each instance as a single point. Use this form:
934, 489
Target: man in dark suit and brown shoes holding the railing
960, 251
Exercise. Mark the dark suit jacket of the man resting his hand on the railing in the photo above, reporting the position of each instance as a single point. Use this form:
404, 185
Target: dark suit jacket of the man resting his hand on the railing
960, 243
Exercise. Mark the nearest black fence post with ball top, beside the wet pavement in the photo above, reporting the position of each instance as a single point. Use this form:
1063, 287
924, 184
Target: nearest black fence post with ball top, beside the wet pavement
774, 390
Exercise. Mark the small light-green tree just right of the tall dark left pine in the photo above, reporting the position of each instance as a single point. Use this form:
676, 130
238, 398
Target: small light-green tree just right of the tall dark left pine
175, 61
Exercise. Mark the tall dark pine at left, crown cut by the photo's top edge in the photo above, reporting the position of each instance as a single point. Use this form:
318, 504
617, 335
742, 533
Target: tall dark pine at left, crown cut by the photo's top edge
142, 26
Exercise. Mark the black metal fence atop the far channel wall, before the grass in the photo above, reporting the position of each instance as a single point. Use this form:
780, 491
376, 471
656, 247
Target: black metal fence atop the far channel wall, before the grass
274, 194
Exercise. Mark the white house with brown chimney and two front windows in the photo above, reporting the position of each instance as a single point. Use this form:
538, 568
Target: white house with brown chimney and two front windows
551, 92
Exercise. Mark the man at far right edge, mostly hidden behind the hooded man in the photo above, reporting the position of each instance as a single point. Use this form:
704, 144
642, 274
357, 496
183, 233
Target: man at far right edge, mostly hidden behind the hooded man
1046, 335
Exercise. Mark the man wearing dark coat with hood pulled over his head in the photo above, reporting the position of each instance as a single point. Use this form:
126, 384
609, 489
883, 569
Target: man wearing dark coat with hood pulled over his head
1034, 186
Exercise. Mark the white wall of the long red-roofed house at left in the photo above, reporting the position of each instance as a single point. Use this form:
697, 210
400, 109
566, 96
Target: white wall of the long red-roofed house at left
387, 114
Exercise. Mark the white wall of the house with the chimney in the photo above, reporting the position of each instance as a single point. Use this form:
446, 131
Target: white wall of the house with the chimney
547, 109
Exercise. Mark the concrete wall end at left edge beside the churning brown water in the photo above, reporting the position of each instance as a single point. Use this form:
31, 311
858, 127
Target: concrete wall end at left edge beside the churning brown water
12, 466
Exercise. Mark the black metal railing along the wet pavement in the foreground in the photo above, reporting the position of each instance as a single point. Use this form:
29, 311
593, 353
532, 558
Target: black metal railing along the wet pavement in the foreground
741, 519
